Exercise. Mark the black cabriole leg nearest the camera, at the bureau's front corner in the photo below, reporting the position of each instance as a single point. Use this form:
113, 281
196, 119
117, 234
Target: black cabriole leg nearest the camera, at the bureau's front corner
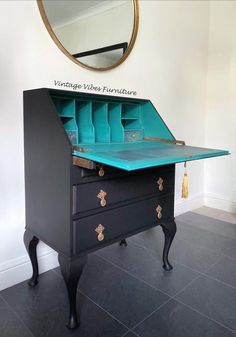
71, 271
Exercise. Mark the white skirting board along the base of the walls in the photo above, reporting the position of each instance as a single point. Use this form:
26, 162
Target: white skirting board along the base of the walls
18, 270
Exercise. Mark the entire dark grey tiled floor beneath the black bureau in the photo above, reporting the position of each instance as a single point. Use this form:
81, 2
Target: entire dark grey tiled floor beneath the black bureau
125, 291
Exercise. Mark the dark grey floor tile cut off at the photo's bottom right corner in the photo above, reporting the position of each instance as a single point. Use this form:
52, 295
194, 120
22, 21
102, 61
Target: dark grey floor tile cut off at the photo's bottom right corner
176, 320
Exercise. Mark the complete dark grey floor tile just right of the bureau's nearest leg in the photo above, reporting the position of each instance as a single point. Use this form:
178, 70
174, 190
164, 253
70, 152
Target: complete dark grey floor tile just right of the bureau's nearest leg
123, 296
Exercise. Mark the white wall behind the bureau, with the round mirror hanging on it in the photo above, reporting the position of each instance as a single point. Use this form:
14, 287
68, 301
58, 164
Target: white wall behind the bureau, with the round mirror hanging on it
168, 65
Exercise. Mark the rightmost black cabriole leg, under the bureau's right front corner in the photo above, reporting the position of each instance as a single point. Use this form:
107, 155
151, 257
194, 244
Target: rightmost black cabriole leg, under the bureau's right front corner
169, 230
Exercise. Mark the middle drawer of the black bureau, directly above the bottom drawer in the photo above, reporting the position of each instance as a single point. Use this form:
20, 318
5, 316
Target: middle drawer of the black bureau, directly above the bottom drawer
102, 194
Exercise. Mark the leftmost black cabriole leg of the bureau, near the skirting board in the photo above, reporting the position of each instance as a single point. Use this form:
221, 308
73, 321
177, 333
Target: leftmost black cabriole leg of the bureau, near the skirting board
31, 242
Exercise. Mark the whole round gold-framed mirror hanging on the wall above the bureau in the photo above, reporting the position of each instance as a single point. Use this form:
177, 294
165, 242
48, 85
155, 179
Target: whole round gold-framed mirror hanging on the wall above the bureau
96, 34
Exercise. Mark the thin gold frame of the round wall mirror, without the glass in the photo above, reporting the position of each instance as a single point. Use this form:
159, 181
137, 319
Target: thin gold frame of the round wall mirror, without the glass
63, 49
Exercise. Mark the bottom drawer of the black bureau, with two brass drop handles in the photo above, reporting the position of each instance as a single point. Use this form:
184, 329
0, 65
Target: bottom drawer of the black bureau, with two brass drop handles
97, 230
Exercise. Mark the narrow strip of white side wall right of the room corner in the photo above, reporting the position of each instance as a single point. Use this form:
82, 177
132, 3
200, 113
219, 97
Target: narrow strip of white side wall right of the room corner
220, 175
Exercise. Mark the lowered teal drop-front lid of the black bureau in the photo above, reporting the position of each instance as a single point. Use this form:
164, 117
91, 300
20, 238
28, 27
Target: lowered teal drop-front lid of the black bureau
144, 154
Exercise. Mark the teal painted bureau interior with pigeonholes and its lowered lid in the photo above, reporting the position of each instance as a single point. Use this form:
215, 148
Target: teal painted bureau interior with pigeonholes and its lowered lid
112, 130
